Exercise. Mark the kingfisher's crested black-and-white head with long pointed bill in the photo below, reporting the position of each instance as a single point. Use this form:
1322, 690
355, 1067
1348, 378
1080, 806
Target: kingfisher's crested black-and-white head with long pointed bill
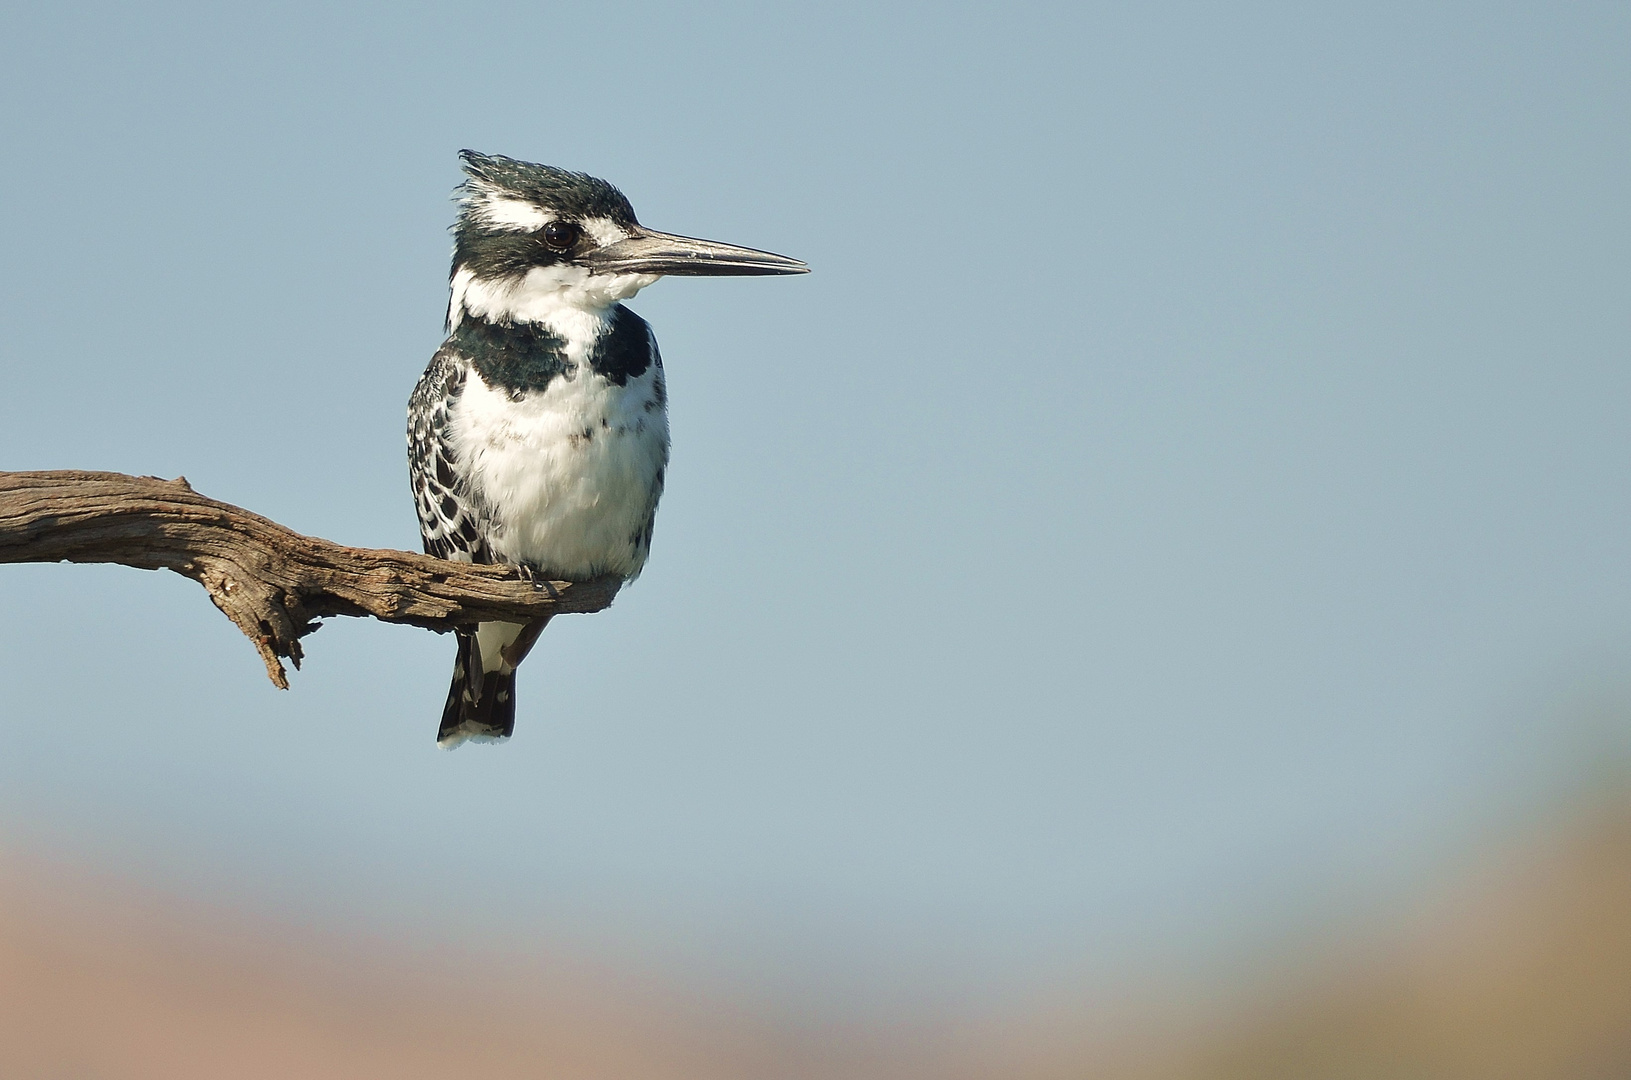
536, 239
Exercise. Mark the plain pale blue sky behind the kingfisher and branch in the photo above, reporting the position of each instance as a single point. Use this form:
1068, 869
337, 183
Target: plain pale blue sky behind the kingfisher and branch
1188, 492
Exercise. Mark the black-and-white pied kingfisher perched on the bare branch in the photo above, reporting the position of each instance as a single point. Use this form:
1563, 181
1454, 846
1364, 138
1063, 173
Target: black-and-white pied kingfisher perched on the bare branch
539, 435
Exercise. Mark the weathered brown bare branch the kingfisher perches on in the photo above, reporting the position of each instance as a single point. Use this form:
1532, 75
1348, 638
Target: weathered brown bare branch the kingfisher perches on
268, 580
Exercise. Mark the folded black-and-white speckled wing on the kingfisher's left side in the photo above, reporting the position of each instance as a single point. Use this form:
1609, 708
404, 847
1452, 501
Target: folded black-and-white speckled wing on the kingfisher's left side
449, 515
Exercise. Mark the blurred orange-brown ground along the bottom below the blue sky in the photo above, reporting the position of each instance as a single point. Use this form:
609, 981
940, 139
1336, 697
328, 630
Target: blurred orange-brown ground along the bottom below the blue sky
1516, 970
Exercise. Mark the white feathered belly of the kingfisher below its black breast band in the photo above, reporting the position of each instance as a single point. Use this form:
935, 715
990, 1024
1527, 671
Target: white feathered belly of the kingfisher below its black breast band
568, 476
